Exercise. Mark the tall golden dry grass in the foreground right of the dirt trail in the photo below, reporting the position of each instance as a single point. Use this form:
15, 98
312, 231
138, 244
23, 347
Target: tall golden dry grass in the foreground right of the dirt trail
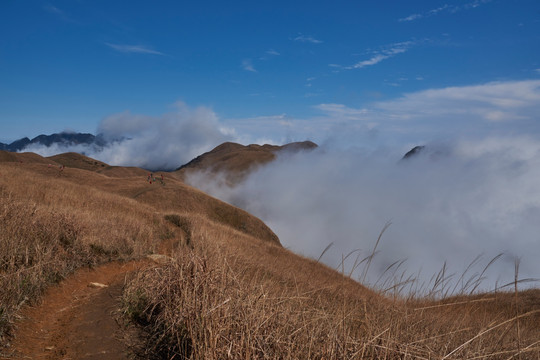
232, 296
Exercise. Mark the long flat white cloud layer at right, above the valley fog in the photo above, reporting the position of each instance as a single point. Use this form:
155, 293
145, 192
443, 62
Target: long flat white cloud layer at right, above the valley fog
497, 108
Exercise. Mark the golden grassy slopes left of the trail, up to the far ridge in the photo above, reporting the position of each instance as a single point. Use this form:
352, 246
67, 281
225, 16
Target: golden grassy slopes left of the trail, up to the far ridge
54, 221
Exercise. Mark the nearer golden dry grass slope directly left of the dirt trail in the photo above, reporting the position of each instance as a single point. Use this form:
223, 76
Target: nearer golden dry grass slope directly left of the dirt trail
51, 226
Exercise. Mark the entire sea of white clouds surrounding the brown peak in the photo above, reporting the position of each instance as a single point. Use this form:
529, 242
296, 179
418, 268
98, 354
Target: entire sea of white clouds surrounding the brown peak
472, 196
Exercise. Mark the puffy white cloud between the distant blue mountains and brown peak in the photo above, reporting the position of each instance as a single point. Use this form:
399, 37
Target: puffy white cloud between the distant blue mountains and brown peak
152, 142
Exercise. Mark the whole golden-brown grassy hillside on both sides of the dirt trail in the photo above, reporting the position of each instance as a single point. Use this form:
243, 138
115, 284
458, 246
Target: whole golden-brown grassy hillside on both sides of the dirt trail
230, 289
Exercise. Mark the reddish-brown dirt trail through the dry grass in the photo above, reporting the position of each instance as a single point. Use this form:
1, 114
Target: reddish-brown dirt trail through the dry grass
75, 320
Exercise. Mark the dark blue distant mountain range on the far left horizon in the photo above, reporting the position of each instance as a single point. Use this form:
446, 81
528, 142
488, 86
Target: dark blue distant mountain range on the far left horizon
63, 138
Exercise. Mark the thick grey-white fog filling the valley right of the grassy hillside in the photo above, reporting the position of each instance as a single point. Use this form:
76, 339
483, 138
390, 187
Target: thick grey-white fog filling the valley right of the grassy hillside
451, 204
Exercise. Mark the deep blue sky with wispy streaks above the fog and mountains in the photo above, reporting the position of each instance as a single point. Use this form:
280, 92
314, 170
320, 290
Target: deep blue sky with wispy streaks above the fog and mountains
277, 71
